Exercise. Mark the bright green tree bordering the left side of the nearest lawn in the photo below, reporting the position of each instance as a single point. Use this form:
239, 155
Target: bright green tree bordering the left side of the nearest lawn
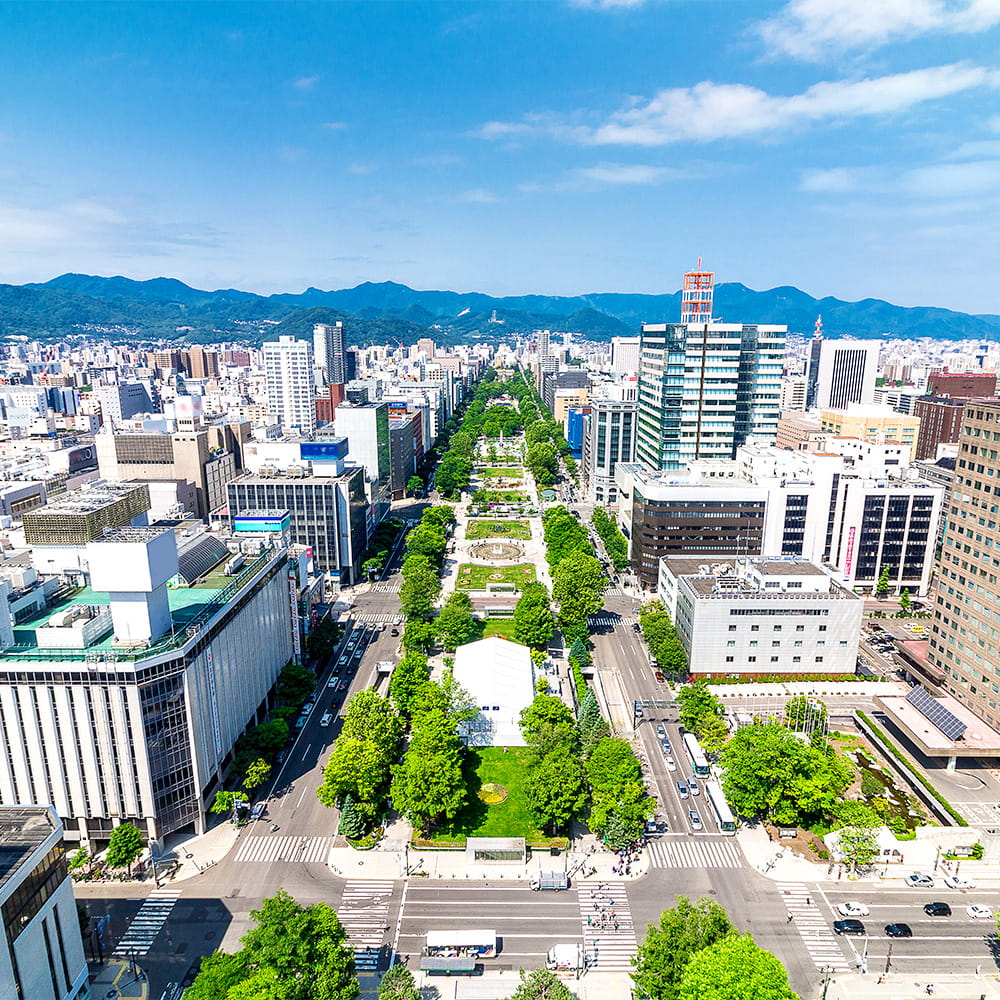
429, 785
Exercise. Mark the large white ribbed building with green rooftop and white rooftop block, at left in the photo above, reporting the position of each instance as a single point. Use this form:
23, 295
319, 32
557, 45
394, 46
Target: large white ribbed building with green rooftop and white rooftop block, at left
122, 701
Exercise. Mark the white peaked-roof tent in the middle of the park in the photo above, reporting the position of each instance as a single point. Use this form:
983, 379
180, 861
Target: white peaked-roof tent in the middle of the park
500, 677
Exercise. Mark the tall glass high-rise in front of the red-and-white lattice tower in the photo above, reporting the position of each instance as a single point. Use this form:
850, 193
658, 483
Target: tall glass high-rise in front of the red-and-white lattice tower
704, 390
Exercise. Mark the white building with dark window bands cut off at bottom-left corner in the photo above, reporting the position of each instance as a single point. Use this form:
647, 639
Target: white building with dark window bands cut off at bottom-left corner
41, 954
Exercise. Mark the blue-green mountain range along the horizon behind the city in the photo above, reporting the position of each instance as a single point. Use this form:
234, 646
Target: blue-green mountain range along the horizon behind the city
165, 308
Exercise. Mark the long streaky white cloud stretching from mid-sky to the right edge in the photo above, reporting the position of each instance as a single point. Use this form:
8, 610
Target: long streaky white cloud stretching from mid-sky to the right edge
710, 111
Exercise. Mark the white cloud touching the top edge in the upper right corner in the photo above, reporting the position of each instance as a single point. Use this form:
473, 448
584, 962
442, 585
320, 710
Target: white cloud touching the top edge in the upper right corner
815, 29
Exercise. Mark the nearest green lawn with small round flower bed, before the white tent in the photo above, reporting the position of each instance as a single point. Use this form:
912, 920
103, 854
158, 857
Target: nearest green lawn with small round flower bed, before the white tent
504, 766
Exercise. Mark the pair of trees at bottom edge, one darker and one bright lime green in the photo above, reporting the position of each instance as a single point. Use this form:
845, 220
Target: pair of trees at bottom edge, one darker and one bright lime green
695, 953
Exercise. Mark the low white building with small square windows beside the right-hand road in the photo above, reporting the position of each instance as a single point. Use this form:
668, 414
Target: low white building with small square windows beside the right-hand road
761, 616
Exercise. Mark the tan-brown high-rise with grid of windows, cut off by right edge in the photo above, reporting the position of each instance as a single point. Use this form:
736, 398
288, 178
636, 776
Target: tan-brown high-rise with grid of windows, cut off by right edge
965, 636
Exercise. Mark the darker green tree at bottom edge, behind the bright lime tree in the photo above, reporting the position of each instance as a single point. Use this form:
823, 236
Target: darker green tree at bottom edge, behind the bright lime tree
683, 931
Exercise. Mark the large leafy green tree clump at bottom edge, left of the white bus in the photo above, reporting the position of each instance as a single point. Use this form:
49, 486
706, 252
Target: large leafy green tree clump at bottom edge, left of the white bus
291, 953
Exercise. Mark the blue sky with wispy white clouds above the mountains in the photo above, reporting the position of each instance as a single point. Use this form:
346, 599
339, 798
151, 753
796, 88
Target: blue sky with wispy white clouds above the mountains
849, 147
